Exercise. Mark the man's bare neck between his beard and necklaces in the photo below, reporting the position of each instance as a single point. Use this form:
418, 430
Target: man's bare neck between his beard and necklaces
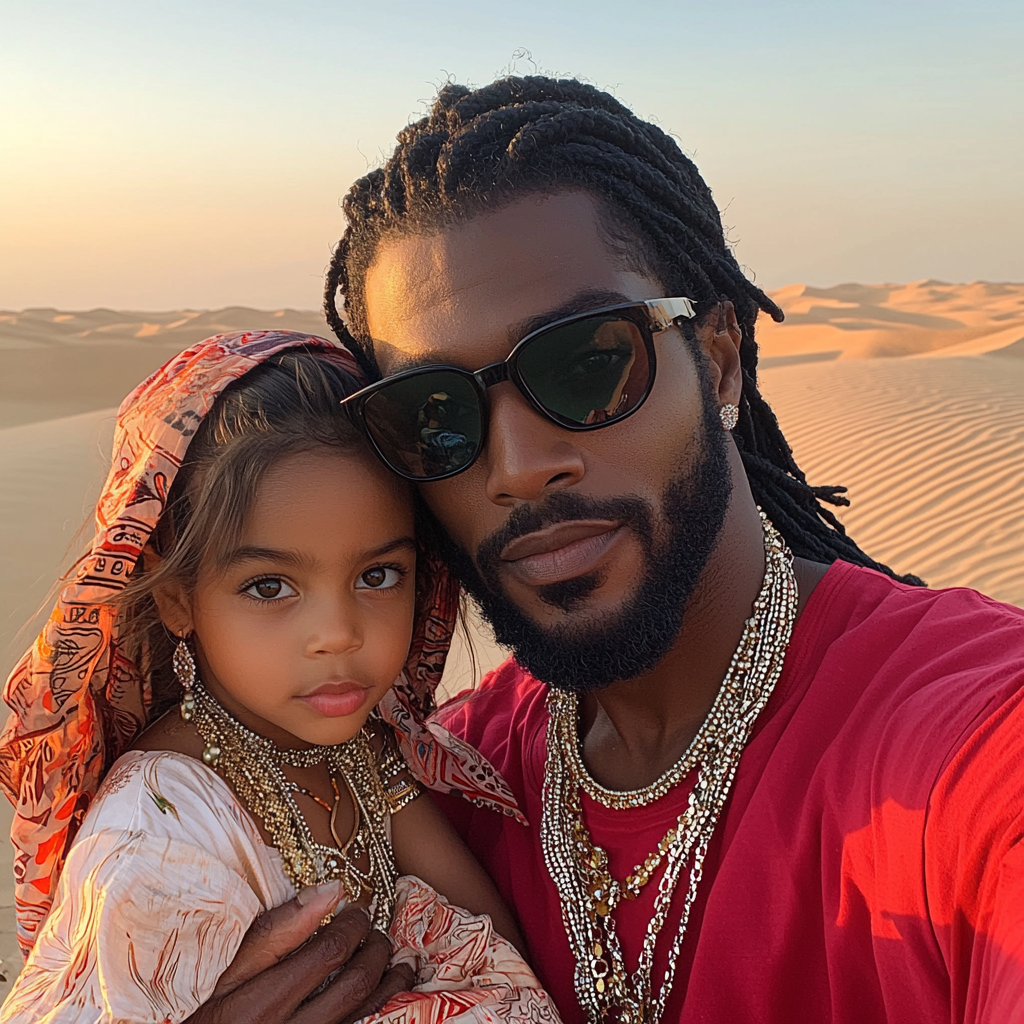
633, 732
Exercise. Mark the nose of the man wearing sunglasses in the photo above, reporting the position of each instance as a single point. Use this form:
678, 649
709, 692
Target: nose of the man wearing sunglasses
527, 457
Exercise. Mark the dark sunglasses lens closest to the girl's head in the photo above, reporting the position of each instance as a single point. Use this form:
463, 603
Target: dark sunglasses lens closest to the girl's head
426, 426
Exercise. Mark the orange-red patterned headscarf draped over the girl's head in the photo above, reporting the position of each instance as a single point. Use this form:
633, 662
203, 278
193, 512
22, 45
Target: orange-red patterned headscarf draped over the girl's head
78, 702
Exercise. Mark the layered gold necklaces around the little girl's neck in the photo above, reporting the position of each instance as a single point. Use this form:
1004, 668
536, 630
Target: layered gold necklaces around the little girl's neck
254, 766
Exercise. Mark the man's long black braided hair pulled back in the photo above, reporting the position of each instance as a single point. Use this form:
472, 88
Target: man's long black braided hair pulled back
518, 137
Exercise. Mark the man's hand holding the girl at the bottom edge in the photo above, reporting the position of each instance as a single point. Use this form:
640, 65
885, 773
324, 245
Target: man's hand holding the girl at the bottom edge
277, 969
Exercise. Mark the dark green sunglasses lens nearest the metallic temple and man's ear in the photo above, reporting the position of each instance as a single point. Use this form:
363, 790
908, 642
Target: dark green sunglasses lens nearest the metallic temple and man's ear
589, 372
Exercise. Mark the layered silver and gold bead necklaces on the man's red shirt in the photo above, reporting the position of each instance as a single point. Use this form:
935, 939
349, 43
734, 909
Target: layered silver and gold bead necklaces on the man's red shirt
579, 867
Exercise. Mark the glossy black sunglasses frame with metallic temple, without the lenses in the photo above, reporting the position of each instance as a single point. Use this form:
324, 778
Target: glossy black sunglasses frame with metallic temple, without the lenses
651, 316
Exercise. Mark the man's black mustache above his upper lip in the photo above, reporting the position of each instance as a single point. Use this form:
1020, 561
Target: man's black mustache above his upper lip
566, 506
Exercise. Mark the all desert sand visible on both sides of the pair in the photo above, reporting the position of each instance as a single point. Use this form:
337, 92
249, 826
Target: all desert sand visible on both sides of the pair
912, 396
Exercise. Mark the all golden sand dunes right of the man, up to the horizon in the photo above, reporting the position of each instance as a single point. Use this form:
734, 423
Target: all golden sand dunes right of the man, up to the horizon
912, 396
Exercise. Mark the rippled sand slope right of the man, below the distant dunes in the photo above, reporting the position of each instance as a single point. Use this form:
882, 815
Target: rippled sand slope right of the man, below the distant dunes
933, 454
